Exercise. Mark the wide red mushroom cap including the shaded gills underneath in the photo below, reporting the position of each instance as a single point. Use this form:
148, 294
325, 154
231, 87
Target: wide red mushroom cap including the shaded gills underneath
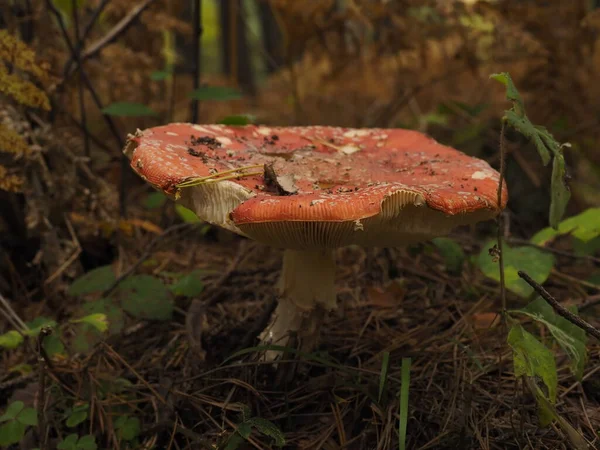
334, 175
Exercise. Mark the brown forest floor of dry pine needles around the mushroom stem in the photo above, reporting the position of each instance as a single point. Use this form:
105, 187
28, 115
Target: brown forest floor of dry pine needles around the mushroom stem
190, 389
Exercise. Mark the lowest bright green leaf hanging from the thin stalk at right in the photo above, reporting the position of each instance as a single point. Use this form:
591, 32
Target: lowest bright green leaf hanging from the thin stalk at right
532, 358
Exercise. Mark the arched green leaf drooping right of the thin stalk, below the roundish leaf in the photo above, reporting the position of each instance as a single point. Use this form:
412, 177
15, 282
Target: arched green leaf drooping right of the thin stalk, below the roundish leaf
570, 337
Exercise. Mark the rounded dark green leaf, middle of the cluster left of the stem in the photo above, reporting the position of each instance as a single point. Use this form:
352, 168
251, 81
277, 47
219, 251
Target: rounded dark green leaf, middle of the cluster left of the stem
145, 297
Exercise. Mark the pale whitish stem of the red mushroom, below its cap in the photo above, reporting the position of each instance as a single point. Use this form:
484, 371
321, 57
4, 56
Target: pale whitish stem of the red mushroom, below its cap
307, 291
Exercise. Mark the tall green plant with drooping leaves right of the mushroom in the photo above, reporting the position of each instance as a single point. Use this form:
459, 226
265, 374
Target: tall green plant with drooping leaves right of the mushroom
532, 359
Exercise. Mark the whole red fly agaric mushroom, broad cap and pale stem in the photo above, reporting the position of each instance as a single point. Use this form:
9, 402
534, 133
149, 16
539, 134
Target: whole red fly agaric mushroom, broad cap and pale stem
310, 190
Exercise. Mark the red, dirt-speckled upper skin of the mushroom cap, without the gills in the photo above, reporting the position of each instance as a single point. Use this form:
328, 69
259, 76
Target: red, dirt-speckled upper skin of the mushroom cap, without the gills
339, 166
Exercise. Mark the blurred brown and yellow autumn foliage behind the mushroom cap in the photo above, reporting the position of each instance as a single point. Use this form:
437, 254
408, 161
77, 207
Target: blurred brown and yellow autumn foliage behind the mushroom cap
415, 64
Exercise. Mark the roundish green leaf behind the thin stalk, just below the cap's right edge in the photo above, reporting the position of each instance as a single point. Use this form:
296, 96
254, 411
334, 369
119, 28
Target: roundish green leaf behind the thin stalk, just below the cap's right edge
537, 263
